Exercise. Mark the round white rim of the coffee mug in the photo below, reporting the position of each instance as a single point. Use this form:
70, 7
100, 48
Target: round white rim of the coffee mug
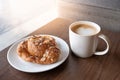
85, 22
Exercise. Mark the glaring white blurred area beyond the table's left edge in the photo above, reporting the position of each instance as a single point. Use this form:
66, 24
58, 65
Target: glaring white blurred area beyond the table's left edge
16, 12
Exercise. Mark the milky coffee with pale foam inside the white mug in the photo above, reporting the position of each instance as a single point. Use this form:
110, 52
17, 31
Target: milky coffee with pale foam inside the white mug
83, 29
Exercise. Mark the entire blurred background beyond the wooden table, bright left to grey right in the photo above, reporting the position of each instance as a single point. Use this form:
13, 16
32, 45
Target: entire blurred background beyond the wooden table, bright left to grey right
15, 12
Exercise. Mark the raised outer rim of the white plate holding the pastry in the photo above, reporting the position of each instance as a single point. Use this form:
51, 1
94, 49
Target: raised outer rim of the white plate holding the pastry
63, 60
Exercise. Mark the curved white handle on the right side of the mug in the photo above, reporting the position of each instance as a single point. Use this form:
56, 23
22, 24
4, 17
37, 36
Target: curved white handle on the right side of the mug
107, 41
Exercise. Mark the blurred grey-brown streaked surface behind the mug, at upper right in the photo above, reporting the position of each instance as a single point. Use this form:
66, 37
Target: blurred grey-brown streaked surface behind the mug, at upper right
103, 12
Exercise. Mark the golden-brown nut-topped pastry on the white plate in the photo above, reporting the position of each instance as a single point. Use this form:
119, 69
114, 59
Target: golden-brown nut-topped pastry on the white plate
39, 49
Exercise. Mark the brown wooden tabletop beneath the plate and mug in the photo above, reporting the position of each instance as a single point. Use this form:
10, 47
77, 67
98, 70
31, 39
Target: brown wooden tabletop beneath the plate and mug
105, 67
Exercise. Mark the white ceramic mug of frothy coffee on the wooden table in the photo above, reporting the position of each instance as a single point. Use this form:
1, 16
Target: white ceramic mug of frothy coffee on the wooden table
83, 42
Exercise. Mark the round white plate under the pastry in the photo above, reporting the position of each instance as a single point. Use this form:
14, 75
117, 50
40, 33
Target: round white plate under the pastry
21, 65
